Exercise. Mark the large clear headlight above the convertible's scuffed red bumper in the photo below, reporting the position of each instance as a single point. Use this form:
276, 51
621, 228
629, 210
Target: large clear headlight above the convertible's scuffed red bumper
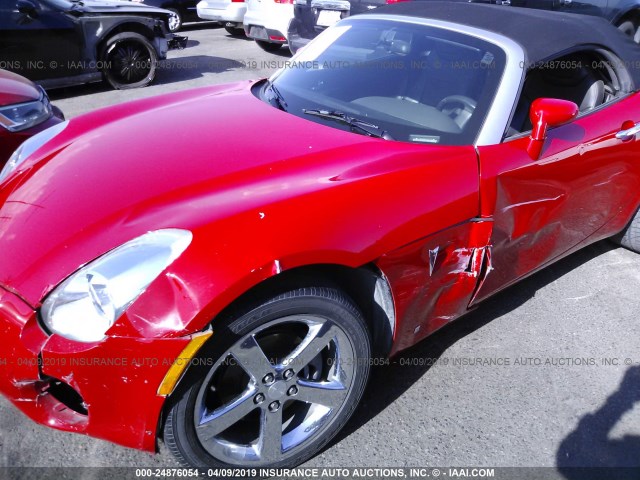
88, 303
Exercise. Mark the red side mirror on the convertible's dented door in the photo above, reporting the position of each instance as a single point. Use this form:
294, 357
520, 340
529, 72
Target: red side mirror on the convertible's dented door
545, 113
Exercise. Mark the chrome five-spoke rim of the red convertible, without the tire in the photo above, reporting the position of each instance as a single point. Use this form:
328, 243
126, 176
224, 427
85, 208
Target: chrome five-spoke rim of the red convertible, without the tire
274, 390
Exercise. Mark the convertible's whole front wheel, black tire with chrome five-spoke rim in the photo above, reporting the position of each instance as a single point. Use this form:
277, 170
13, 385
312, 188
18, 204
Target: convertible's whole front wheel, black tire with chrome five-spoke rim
285, 379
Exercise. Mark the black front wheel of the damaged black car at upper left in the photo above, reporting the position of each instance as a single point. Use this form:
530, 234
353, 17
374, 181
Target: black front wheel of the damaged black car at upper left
130, 61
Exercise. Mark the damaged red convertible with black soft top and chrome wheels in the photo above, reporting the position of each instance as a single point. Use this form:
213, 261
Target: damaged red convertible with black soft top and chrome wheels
228, 292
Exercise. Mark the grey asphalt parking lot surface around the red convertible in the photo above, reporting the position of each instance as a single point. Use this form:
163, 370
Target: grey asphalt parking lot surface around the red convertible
545, 374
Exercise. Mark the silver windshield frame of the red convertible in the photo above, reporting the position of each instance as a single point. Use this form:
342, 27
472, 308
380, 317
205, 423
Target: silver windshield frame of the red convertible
499, 115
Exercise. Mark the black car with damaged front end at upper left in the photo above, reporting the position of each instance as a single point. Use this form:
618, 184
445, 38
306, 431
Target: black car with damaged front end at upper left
61, 42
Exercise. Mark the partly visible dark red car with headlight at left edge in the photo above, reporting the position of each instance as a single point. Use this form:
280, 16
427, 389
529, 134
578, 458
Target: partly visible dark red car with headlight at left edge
24, 111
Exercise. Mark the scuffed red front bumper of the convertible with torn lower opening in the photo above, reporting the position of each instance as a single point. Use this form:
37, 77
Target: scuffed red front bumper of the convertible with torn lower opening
117, 378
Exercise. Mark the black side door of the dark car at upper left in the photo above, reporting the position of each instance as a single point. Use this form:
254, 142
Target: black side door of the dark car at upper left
39, 40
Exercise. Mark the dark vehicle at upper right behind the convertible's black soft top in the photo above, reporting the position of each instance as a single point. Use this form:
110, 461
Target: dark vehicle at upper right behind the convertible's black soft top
624, 14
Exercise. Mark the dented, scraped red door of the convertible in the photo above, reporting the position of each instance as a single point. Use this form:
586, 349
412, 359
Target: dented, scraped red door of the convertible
584, 184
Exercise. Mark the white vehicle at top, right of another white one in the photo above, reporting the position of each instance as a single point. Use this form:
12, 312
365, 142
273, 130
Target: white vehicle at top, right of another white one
267, 22
